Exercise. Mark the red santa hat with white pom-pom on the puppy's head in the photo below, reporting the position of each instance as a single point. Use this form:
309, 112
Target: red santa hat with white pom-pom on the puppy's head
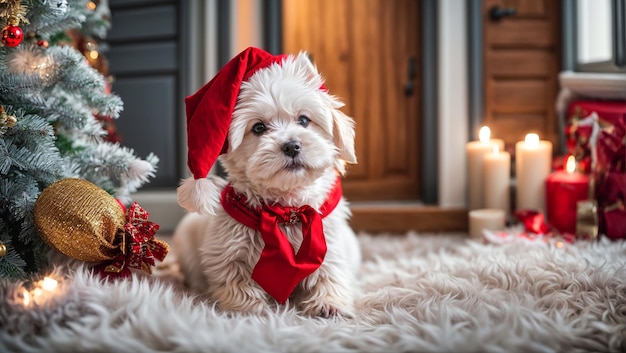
209, 113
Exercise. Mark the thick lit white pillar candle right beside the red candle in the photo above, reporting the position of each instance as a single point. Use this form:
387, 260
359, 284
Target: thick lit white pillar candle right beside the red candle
533, 163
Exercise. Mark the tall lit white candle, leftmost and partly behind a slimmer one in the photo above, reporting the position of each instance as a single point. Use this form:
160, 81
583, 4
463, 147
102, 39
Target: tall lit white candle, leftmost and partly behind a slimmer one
476, 150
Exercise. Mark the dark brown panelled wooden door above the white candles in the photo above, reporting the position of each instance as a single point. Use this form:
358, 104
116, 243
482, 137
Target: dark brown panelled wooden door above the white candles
522, 60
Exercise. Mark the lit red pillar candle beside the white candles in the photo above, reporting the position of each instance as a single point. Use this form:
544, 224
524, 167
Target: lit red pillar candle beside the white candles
564, 188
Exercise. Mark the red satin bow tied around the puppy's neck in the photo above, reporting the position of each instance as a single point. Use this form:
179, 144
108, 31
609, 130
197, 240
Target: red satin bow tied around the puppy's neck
279, 269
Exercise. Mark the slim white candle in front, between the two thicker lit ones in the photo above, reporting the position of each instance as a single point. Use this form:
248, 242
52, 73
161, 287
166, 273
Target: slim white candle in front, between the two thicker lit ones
497, 179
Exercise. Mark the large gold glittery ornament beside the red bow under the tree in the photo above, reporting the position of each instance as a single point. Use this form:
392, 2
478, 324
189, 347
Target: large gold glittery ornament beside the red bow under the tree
80, 220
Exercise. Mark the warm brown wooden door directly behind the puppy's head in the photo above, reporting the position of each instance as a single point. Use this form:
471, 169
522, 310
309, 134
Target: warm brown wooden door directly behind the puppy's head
366, 50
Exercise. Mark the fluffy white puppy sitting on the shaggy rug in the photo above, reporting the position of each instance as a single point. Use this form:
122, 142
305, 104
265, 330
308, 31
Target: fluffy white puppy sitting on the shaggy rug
286, 146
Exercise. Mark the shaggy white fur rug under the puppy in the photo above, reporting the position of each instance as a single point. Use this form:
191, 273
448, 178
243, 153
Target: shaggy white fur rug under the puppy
439, 293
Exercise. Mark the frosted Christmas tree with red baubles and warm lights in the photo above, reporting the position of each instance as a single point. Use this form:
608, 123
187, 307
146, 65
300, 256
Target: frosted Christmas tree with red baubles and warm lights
50, 97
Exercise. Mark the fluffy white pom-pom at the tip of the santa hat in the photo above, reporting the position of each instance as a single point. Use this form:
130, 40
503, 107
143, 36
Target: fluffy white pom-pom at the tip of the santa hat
200, 195
